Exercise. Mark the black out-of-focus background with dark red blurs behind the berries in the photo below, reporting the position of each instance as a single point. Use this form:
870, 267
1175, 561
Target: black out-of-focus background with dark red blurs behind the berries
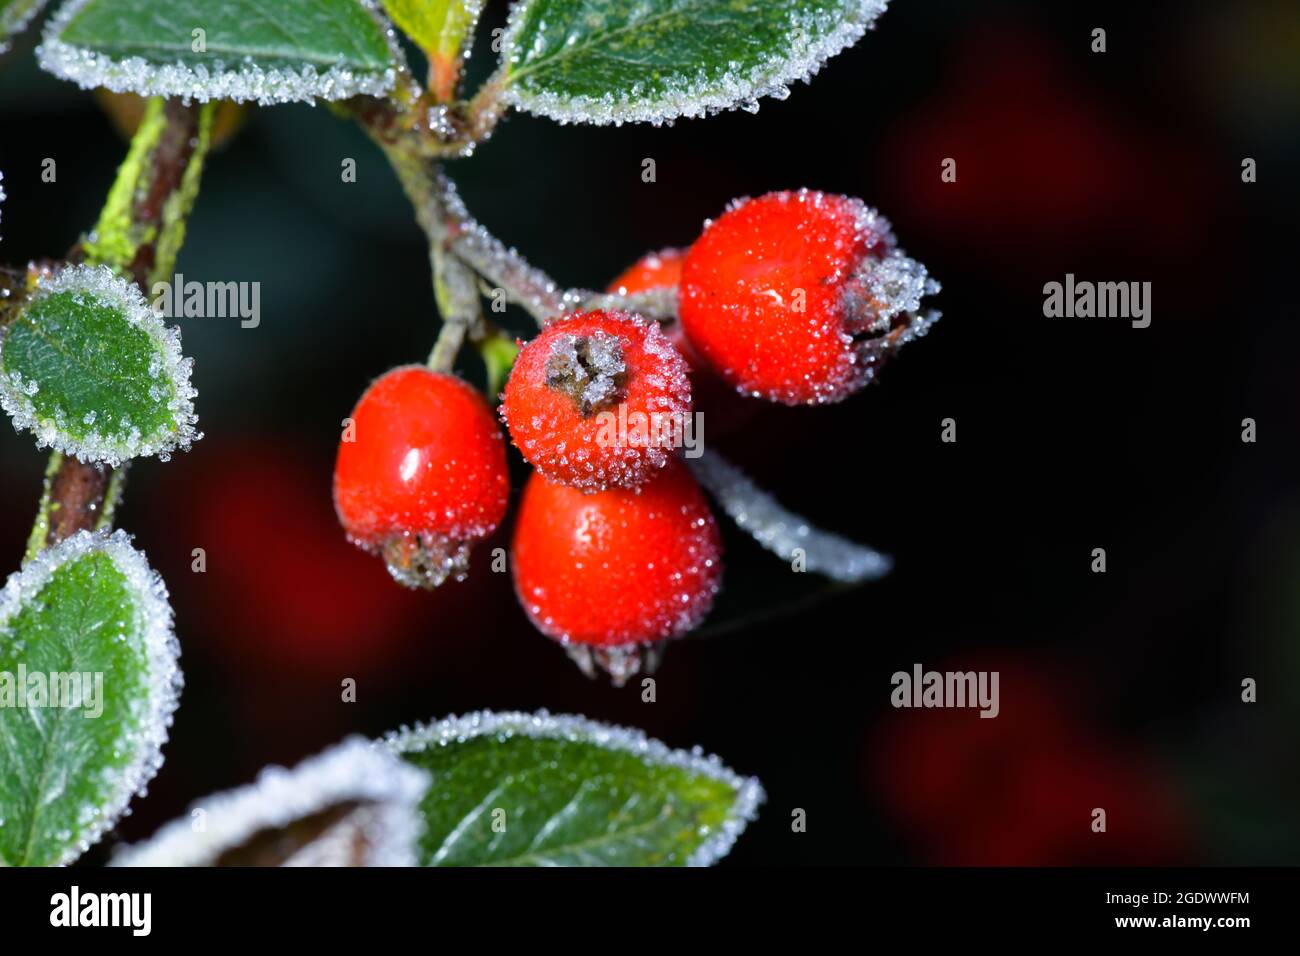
1119, 691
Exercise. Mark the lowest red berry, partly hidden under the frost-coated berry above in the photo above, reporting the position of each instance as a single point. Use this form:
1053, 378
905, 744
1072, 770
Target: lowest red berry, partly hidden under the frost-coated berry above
612, 573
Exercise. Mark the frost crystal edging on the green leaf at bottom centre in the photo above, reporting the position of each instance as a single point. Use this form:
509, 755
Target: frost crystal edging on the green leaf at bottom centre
458, 730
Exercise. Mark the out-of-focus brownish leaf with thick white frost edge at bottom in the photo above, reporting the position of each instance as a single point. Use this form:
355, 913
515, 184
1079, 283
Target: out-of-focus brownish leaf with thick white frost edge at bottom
352, 806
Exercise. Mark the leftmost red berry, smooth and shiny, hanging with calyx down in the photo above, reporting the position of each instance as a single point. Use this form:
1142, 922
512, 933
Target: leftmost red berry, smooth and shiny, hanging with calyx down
422, 475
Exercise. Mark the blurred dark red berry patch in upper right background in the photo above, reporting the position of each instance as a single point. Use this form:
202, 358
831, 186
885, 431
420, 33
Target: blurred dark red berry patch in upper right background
1046, 174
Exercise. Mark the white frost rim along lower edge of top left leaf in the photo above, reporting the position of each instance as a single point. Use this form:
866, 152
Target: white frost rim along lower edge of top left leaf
240, 83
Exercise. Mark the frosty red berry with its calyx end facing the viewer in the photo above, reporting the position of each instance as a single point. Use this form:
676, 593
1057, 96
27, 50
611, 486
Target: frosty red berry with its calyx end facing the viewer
599, 400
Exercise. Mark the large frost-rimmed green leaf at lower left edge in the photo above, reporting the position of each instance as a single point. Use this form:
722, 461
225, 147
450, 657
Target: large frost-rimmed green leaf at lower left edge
89, 682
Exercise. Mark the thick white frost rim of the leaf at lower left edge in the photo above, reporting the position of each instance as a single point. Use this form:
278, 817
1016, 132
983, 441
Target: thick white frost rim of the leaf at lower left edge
164, 681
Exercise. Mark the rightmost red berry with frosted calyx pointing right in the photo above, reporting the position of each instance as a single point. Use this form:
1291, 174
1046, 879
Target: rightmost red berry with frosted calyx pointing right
796, 297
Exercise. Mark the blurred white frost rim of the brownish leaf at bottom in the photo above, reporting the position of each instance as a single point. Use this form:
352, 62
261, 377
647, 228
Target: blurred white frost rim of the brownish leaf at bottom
352, 771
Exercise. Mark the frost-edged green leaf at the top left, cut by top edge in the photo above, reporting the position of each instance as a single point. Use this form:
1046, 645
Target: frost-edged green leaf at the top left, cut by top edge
237, 50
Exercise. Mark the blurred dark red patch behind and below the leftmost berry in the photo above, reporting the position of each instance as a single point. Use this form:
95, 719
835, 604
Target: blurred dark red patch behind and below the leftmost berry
283, 587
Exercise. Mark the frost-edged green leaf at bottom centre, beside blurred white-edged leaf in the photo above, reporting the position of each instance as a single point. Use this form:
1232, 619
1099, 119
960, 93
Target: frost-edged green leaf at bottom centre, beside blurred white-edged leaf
534, 790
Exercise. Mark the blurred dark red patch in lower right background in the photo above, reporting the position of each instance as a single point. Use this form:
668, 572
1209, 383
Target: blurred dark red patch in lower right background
1021, 789
